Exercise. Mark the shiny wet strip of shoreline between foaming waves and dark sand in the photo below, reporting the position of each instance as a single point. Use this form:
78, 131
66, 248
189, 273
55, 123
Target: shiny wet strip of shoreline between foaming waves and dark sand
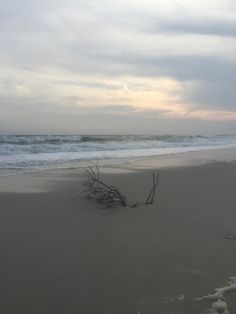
190, 158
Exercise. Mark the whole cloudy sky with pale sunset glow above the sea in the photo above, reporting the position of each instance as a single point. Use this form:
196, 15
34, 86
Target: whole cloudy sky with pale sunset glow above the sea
109, 66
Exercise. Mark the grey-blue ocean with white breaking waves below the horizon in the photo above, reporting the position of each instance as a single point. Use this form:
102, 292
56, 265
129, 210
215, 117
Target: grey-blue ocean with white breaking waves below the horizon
33, 151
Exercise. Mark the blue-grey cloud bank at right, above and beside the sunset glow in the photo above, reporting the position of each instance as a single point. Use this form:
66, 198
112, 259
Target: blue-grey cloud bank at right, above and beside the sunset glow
214, 77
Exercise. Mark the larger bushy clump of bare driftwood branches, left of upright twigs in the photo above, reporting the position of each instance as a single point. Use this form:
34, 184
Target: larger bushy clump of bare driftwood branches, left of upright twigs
101, 192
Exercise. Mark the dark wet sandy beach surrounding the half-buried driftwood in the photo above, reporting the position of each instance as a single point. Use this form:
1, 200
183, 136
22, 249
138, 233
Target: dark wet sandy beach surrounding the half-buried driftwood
64, 254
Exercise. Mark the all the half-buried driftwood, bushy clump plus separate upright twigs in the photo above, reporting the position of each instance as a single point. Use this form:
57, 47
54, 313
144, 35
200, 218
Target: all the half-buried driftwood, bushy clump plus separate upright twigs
109, 195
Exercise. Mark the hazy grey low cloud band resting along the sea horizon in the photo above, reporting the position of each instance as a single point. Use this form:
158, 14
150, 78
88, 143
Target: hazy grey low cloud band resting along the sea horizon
49, 118
